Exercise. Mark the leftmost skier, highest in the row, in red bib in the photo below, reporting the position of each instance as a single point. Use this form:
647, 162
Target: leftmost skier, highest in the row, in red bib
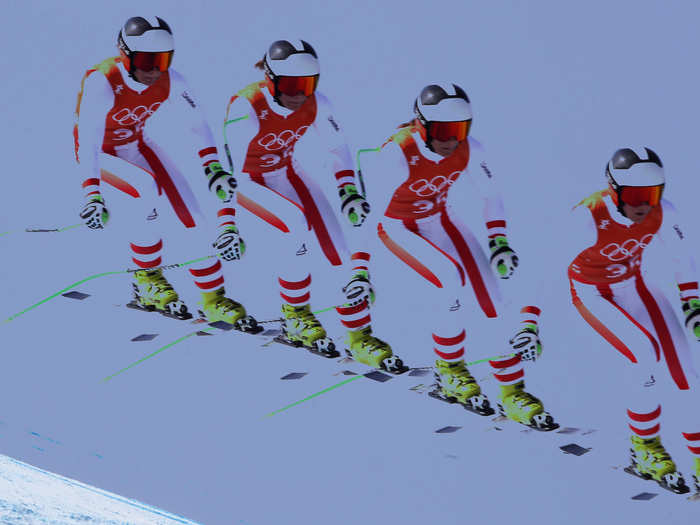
116, 99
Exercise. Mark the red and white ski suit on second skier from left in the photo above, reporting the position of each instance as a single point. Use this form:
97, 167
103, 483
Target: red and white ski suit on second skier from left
279, 190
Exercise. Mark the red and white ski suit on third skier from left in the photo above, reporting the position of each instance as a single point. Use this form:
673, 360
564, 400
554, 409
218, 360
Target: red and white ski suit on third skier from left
424, 232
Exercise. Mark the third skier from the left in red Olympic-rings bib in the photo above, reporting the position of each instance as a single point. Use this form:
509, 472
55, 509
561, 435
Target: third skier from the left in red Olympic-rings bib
421, 162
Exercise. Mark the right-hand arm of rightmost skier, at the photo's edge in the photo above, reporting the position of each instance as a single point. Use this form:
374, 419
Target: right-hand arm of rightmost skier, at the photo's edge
675, 241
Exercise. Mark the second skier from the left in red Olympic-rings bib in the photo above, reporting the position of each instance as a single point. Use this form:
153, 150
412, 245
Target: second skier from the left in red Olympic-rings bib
272, 115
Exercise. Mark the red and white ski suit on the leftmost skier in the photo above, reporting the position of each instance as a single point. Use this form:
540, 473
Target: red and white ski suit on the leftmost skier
113, 145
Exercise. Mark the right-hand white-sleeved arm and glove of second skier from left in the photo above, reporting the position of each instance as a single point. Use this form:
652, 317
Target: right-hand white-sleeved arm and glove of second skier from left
353, 204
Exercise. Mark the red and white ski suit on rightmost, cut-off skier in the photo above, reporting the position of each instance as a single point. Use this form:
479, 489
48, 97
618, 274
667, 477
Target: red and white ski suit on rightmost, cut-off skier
609, 291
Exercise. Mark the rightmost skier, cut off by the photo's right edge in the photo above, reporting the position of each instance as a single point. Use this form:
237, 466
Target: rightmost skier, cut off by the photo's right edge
608, 290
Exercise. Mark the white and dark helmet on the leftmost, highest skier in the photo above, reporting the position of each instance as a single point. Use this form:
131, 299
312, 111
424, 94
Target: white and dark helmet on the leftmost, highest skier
145, 35
